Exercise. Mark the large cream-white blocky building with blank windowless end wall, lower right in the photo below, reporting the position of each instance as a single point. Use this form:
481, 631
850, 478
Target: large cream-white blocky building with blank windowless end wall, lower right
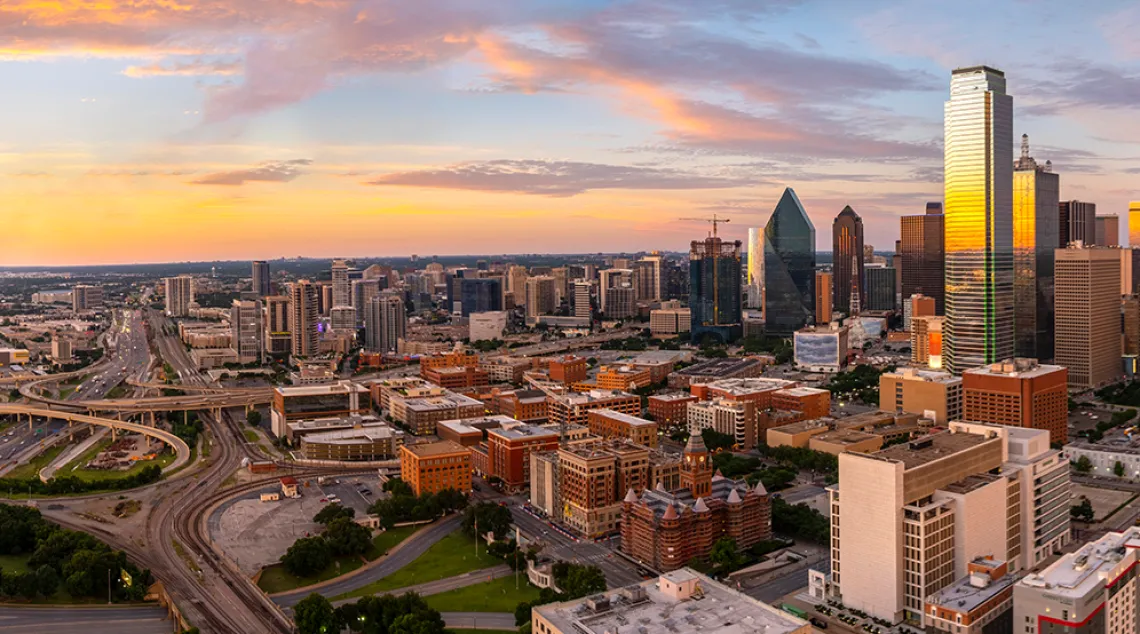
908, 522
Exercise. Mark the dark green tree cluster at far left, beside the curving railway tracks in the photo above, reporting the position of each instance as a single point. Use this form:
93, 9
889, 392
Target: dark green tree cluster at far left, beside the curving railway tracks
77, 560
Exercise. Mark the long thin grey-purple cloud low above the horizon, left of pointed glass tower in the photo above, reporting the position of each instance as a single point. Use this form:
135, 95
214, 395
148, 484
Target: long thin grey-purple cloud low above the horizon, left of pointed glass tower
556, 178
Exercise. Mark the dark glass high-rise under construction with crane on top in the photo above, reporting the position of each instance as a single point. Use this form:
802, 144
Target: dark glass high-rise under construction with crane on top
715, 289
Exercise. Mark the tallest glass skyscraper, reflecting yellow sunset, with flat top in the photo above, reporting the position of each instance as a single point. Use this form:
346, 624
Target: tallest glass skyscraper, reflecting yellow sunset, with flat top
980, 220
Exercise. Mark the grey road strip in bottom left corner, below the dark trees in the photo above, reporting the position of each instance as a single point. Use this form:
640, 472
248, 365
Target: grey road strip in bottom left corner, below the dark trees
150, 620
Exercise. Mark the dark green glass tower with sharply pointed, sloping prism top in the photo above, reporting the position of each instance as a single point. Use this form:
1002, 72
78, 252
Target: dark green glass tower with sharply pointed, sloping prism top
789, 269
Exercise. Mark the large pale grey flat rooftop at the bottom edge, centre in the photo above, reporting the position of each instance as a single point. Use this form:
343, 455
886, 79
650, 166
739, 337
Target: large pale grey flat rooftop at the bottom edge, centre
646, 609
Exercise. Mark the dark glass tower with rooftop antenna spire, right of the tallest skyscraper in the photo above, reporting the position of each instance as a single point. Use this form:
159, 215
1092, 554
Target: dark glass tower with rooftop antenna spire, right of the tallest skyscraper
1037, 192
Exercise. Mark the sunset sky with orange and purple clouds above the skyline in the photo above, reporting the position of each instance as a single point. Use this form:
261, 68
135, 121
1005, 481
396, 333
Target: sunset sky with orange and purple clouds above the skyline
175, 131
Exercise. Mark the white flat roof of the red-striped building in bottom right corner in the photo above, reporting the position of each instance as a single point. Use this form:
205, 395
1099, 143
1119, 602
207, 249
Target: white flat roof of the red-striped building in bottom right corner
1076, 575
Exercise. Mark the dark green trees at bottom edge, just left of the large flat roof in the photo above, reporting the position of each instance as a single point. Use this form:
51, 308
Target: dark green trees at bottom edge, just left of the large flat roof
408, 614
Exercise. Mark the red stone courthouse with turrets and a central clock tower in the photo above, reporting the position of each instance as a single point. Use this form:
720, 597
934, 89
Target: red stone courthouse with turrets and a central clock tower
669, 530
